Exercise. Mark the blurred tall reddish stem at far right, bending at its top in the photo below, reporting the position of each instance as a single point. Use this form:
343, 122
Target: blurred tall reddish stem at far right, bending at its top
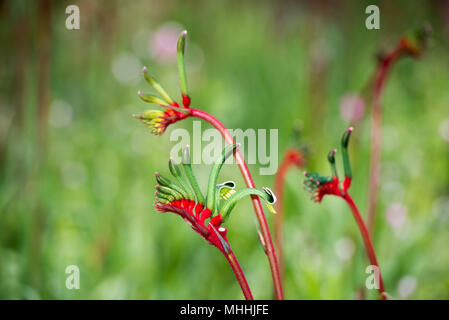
376, 135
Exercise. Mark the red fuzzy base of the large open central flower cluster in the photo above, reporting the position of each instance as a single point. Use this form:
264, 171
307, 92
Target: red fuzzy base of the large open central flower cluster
195, 214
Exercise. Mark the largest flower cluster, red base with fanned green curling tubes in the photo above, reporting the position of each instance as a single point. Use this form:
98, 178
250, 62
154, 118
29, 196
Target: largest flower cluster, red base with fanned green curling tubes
204, 214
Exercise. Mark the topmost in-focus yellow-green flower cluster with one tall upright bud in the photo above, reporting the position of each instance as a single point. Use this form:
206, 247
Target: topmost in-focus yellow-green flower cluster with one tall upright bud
158, 121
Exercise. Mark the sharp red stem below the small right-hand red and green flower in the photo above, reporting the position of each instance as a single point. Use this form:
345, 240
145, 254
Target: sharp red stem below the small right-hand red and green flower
366, 239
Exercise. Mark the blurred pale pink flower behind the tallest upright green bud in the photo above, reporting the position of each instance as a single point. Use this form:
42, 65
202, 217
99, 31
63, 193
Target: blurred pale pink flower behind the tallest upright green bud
162, 44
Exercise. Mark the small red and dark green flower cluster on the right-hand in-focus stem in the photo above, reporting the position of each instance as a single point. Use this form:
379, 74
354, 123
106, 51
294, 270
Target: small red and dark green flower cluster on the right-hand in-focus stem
319, 185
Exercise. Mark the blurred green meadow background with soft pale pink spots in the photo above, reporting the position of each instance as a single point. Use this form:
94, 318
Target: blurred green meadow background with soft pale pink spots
77, 183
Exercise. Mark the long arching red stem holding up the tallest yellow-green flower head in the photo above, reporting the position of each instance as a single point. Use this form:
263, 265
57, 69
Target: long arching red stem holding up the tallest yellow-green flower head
265, 232
